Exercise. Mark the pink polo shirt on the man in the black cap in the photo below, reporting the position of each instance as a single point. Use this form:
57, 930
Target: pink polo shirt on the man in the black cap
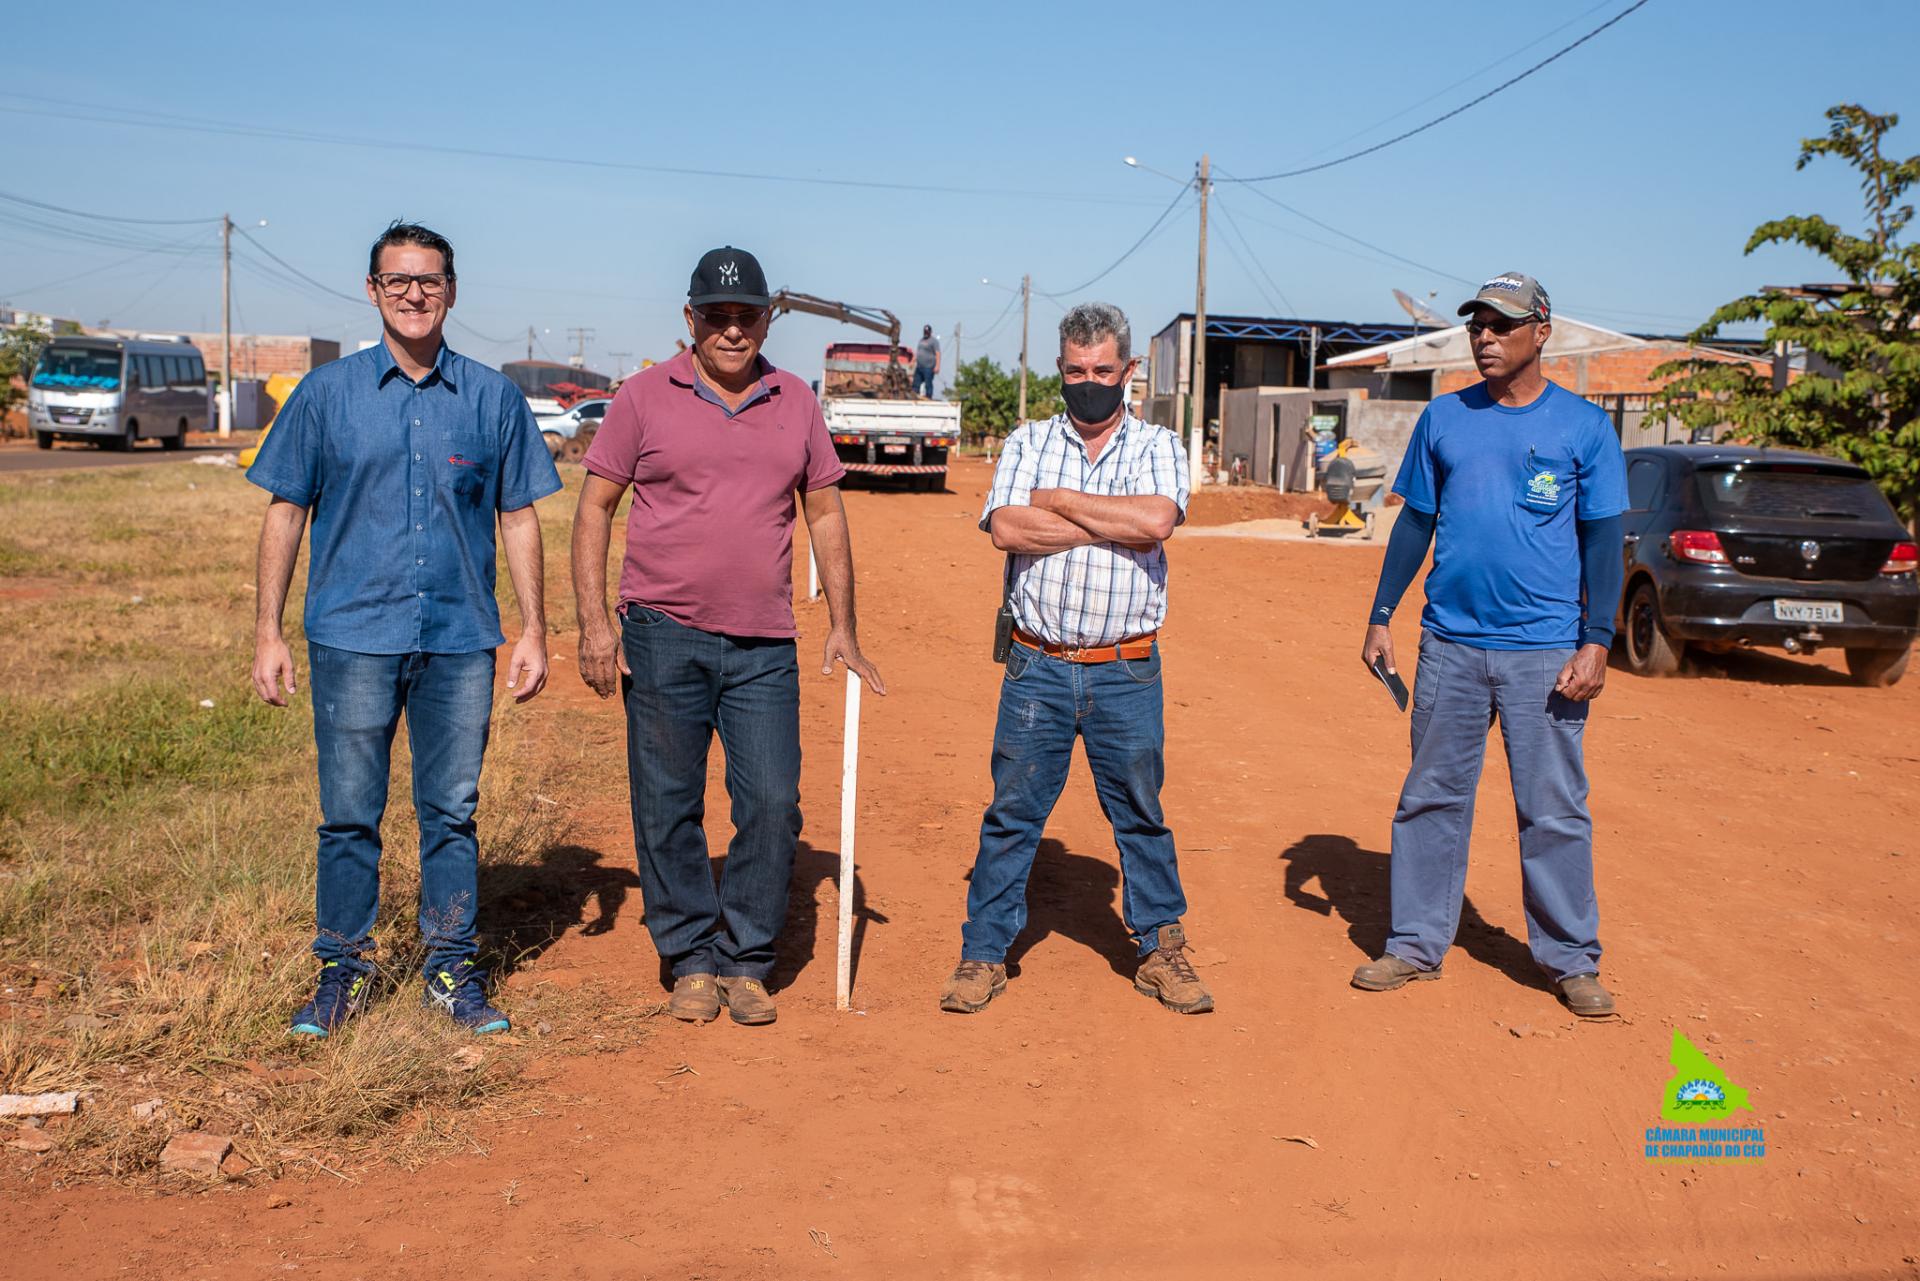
709, 541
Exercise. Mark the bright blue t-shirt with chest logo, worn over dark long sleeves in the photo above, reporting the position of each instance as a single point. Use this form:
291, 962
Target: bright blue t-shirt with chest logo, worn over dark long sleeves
1508, 487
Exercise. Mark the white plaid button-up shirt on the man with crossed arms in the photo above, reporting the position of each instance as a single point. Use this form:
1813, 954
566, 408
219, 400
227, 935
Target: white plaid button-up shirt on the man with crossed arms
1097, 594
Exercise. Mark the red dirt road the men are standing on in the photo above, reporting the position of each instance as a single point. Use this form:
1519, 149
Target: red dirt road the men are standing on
1758, 875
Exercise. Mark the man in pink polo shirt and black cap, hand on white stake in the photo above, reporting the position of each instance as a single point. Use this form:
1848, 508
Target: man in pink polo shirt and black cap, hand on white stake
715, 445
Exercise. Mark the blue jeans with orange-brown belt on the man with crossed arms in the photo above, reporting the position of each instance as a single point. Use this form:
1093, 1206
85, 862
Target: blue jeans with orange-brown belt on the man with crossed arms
1045, 704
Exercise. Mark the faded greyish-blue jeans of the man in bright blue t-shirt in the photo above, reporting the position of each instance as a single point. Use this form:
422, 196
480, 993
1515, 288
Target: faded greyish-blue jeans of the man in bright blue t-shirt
1458, 694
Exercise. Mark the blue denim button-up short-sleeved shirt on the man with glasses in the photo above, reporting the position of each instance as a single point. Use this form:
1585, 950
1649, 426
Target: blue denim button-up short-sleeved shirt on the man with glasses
404, 483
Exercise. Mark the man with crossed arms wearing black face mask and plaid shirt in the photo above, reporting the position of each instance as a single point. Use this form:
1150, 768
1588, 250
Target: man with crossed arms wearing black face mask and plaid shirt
1082, 504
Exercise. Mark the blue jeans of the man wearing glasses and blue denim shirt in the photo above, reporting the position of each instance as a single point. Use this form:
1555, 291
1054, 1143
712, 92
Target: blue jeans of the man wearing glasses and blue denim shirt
358, 700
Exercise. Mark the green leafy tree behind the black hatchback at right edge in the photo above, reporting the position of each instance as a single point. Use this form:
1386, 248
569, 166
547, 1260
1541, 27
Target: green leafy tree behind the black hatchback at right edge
1860, 397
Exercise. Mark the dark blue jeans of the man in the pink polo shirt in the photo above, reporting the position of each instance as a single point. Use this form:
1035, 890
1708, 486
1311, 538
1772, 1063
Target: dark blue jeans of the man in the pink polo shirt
688, 685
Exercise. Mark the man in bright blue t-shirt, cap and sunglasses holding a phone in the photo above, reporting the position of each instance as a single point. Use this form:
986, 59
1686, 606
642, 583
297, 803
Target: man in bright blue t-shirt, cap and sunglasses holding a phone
1520, 485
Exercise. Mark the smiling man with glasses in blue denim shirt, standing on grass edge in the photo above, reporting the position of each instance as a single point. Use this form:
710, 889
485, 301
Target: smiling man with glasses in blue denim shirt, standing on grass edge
406, 454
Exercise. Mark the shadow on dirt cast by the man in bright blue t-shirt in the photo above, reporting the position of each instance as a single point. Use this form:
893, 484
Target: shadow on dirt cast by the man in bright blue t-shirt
1353, 884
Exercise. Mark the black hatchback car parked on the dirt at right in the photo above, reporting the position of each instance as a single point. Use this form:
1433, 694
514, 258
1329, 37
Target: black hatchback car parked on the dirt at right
1733, 546
